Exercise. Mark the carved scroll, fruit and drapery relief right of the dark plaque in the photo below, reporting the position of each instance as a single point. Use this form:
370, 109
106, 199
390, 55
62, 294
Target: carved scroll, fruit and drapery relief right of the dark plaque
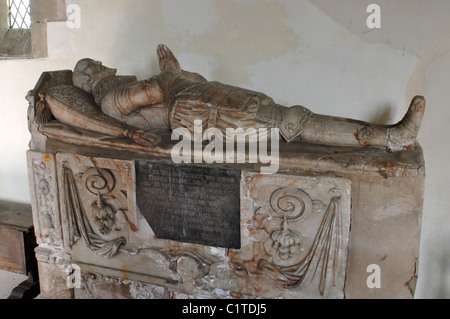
286, 258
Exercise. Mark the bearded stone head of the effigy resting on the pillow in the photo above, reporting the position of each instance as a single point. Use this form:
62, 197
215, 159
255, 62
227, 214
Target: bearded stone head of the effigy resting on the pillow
87, 72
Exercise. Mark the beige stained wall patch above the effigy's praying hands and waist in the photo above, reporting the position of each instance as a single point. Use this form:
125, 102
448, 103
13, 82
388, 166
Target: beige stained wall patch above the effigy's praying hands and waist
239, 35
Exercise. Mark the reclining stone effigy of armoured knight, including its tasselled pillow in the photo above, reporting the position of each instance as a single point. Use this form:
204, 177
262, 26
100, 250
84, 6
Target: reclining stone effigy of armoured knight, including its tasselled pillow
176, 98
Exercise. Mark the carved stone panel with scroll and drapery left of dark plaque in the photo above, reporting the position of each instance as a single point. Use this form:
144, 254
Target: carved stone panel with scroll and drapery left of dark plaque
97, 202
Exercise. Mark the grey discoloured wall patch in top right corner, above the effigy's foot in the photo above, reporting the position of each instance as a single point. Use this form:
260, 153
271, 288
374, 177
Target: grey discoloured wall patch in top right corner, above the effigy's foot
404, 27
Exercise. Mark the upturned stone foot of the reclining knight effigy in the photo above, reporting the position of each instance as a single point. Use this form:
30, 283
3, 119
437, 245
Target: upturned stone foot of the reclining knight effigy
403, 135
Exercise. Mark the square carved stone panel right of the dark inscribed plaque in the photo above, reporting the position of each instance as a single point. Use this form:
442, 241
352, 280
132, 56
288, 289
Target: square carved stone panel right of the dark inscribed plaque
295, 232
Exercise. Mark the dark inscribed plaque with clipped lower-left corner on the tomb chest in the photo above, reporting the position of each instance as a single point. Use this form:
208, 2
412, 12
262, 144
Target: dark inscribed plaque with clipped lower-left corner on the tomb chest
193, 204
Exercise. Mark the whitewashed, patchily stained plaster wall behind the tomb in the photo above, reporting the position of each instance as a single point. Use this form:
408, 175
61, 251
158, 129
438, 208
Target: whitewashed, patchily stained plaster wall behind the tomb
316, 53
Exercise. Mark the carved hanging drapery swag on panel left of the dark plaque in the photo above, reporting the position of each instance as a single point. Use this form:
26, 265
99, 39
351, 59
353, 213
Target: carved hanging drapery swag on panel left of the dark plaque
80, 223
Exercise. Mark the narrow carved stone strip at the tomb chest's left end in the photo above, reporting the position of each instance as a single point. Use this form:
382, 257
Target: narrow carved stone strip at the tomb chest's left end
44, 198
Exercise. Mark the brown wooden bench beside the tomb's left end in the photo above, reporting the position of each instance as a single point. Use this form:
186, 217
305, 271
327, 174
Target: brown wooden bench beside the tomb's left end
17, 243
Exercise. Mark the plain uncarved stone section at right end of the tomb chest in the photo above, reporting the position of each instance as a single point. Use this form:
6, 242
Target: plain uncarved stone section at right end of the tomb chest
386, 224
